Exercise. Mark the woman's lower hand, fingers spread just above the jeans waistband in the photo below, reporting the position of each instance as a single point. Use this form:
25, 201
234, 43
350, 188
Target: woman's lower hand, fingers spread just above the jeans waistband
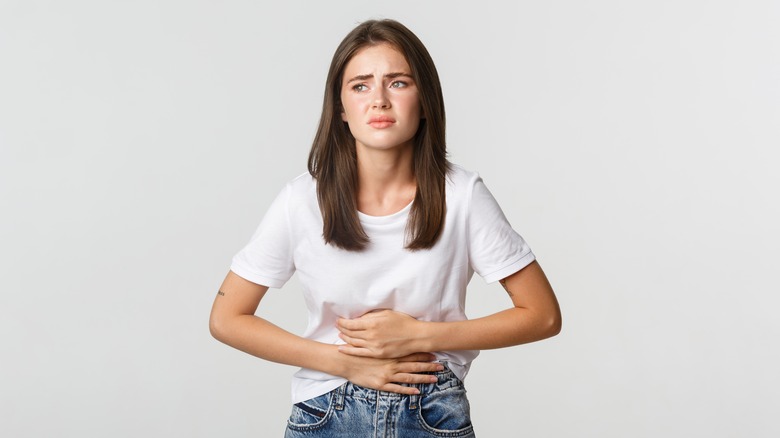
389, 374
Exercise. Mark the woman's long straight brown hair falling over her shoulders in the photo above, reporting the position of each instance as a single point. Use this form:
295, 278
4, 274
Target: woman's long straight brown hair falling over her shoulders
333, 158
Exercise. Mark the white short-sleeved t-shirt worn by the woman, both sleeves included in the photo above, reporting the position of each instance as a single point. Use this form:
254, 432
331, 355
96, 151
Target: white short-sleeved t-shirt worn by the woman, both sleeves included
429, 285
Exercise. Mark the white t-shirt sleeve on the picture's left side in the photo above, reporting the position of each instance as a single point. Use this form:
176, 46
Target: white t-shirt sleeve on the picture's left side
267, 258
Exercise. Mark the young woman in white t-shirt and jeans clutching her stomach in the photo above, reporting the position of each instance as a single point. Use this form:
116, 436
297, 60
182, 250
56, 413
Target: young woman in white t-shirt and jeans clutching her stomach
385, 235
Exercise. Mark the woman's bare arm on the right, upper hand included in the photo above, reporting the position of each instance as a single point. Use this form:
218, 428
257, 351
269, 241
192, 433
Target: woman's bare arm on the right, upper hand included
535, 315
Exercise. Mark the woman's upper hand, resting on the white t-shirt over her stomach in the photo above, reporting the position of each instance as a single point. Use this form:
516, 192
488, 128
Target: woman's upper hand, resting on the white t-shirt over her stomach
380, 334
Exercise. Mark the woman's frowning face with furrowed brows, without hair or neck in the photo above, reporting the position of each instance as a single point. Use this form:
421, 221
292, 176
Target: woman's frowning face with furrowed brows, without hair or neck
380, 100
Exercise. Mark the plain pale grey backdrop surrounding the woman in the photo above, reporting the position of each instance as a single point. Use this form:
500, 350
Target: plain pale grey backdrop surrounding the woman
633, 144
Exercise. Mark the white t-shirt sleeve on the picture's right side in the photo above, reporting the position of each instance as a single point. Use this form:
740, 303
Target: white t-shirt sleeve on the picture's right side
496, 250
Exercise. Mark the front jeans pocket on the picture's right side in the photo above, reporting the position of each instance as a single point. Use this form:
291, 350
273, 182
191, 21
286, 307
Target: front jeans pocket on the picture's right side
446, 413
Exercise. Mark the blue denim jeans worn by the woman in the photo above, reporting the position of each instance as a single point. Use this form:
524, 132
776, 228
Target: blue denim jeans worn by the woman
440, 410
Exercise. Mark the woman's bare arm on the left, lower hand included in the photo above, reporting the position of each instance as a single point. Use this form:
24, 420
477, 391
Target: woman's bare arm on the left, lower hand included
234, 323
